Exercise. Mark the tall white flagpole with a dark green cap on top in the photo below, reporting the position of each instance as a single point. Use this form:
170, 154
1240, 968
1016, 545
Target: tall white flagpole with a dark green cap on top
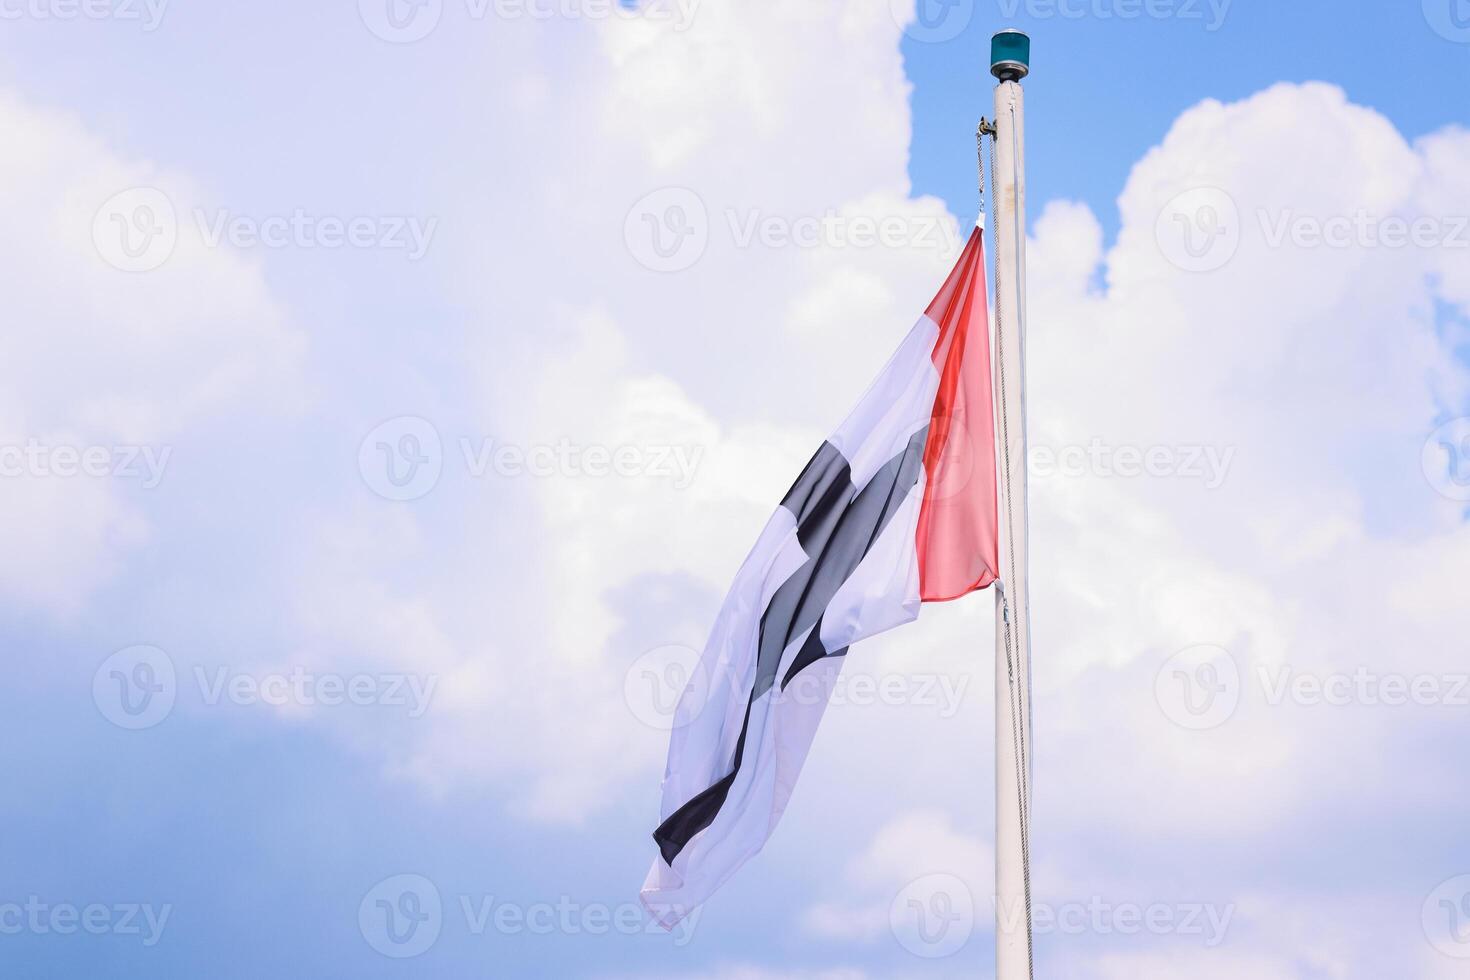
1011, 58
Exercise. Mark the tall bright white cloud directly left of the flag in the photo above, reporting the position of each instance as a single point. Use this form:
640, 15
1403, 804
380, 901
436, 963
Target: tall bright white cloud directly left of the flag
618, 356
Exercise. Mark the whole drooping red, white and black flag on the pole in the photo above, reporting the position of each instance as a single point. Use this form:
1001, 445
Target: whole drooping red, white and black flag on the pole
897, 509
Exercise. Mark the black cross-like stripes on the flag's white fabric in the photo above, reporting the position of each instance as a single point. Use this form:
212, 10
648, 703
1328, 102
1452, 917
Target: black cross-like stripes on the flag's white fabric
837, 525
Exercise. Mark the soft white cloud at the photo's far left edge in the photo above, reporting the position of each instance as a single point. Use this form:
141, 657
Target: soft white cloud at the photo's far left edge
93, 356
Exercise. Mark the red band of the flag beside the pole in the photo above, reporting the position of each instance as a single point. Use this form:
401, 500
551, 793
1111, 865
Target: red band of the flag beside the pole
958, 524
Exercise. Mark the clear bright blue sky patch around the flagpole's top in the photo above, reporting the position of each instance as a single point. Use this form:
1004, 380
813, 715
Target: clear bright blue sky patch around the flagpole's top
1108, 89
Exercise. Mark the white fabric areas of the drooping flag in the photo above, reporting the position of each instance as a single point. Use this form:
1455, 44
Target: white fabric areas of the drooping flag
880, 594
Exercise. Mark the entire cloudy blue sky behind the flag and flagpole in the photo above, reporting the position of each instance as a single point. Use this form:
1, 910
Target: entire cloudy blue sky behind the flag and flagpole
261, 832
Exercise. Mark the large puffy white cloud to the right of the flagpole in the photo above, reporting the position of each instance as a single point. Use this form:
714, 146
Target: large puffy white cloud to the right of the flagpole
1324, 553
